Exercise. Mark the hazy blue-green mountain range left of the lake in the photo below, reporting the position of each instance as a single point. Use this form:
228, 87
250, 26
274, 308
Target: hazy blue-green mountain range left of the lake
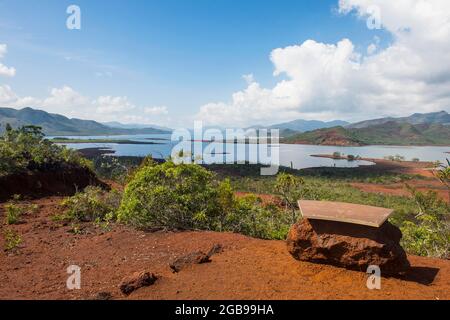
55, 124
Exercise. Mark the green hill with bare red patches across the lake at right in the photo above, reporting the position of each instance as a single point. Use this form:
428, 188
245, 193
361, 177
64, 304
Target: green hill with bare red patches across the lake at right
390, 133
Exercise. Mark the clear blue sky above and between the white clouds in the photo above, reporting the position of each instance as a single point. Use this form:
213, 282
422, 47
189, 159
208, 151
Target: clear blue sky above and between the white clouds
177, 55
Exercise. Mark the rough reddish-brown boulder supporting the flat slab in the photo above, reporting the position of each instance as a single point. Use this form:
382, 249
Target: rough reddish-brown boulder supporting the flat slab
348, 245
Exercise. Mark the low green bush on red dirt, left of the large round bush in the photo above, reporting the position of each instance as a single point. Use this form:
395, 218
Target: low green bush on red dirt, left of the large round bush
91, 205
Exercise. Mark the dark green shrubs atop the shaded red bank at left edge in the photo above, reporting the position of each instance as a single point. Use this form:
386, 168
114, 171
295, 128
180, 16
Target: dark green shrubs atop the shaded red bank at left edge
25, 149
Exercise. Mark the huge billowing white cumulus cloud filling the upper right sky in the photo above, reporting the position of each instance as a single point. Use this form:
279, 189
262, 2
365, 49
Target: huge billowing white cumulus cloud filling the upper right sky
328, 81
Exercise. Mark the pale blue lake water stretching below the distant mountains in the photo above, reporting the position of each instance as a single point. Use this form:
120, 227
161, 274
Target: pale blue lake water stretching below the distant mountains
297, 156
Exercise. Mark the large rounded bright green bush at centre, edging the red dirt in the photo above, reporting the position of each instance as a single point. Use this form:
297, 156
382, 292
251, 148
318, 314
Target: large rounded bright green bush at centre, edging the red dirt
184, 196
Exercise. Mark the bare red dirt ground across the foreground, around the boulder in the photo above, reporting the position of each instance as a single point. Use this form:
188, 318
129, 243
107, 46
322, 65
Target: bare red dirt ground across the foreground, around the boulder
247, 269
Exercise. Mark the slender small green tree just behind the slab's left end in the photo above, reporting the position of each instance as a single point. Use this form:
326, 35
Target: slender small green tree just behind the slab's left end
289, 187
